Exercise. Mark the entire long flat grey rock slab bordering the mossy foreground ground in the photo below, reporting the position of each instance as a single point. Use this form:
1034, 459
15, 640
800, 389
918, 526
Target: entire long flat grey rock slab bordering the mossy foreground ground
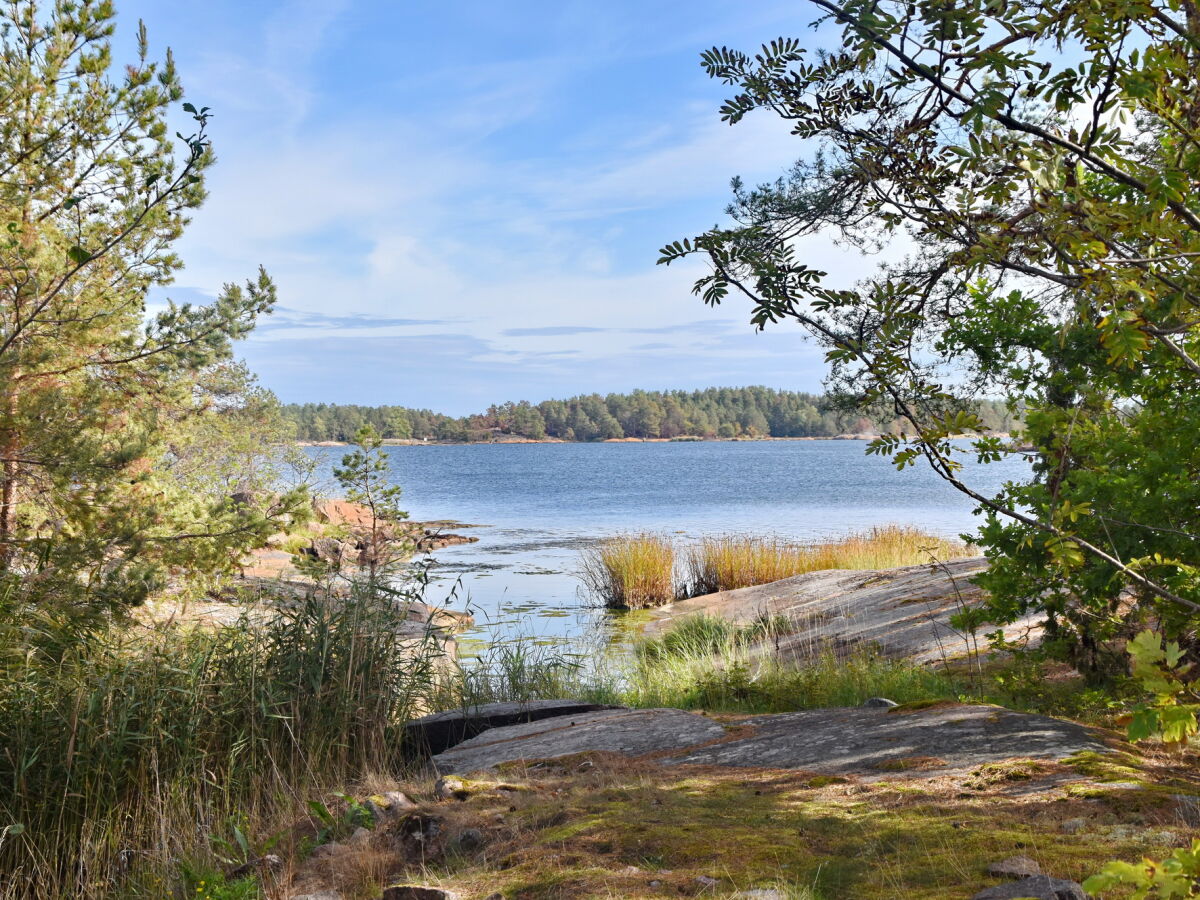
869, 743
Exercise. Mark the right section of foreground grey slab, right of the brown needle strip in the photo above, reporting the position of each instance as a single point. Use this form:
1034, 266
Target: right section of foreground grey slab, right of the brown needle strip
856, 741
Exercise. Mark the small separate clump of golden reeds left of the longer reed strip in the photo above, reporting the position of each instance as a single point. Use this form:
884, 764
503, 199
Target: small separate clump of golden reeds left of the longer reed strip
631, 572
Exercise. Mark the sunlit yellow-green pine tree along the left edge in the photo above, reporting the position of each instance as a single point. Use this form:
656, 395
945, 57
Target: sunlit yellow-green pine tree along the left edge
97, 392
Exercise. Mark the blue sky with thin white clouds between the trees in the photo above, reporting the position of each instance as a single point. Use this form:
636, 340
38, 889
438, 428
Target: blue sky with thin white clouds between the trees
463, 202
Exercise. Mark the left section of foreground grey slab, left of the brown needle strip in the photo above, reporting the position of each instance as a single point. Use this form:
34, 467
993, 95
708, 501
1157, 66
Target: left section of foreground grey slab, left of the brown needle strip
627, 731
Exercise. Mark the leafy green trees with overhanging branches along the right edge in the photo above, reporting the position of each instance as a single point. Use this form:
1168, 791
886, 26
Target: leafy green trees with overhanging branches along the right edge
1041, 163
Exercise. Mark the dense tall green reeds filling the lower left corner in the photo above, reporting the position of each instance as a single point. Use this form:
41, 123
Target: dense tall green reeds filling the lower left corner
130, 752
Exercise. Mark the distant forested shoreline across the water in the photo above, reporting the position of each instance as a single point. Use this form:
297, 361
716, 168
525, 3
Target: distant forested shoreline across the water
711, 413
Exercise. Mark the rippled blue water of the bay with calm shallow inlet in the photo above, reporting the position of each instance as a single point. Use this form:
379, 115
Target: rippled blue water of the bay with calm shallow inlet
537, 506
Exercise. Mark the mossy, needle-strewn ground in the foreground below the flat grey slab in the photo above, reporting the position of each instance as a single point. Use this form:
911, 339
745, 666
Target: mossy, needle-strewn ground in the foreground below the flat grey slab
639, 830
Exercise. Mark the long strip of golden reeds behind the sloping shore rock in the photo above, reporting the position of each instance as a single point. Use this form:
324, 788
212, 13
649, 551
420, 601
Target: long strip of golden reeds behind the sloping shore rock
731, 562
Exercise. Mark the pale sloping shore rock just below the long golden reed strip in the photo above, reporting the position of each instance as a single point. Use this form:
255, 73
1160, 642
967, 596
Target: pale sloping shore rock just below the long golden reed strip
905, 613
